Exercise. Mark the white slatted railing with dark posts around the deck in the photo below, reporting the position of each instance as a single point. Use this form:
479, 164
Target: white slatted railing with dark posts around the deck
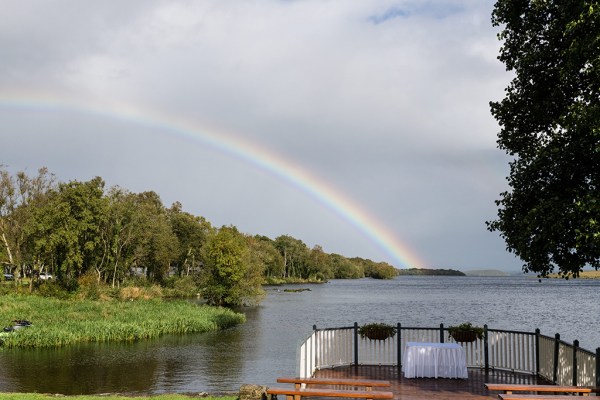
517, 351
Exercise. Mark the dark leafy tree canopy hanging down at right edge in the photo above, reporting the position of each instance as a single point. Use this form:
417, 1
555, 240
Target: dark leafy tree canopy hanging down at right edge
550, 125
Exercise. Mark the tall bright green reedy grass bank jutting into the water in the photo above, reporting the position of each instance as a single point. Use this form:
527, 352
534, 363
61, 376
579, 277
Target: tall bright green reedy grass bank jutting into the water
62, 322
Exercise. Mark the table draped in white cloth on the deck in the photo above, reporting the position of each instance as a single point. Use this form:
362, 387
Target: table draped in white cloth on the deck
434, 360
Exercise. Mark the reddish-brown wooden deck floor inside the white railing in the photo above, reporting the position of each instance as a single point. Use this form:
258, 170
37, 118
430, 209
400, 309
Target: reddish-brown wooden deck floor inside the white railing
429, 388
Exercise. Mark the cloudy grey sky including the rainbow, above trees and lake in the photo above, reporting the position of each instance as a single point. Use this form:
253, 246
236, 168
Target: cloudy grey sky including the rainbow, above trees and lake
361, 126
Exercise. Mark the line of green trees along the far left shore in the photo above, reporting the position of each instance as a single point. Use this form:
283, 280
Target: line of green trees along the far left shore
70, 229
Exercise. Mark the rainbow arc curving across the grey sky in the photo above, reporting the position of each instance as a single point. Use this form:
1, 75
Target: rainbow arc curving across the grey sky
239, 148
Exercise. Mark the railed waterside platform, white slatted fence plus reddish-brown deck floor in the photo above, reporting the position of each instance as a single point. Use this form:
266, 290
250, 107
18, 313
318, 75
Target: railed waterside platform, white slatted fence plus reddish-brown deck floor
501, 356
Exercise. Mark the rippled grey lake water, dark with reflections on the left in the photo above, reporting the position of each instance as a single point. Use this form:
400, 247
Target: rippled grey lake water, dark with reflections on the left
265, 347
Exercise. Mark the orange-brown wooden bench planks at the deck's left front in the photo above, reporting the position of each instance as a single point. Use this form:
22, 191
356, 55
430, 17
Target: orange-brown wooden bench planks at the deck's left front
299, 391
